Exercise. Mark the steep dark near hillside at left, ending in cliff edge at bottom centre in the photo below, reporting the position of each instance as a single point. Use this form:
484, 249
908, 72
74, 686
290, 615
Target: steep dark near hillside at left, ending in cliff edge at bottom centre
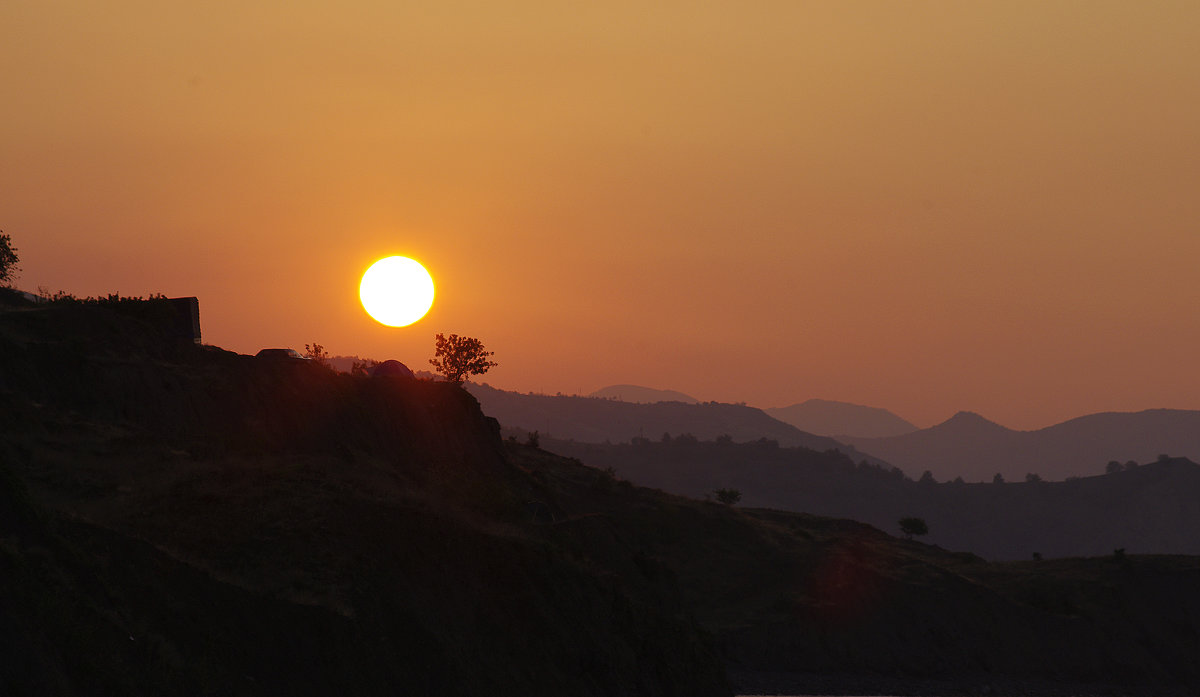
190, 521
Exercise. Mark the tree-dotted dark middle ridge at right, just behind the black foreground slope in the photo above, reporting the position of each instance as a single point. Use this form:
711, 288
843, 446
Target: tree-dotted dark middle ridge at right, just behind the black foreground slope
1153, 509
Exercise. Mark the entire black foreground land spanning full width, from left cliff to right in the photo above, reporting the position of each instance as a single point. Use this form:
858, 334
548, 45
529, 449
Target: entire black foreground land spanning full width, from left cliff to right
178, 520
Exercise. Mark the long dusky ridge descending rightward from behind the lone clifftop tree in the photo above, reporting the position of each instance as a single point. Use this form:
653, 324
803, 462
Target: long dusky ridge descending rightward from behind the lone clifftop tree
596, 420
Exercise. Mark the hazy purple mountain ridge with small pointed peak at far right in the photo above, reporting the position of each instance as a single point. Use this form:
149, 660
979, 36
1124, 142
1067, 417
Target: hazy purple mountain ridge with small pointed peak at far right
976, 449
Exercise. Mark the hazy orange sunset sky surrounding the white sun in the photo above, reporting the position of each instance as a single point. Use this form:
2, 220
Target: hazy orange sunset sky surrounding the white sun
927, 207
